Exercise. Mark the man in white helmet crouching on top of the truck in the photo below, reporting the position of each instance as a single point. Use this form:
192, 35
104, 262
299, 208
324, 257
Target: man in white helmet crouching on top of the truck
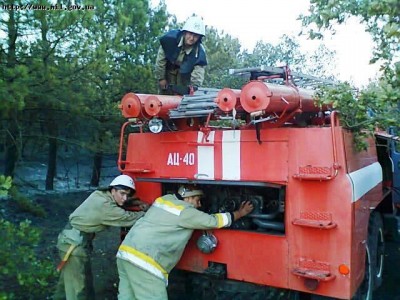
181, 58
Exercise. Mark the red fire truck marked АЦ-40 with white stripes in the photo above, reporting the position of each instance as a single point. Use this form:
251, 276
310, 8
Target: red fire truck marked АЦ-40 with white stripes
318, 224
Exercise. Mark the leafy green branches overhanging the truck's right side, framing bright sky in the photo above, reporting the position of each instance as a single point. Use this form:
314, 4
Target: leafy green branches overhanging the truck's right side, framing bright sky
379, 104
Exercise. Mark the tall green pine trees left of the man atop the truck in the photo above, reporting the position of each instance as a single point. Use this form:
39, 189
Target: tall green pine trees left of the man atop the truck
73, 69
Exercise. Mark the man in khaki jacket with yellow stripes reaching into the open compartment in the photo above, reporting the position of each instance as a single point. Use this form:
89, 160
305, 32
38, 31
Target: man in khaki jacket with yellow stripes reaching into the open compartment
156, 242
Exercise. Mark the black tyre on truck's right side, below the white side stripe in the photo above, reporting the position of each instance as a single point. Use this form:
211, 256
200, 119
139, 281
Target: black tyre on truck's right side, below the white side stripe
376, 244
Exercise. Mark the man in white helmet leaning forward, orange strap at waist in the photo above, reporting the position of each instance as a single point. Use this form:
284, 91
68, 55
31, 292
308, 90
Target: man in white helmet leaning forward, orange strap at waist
102, 209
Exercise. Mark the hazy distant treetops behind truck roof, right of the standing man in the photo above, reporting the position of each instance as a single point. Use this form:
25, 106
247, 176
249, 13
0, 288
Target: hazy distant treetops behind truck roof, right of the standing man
224, 53
